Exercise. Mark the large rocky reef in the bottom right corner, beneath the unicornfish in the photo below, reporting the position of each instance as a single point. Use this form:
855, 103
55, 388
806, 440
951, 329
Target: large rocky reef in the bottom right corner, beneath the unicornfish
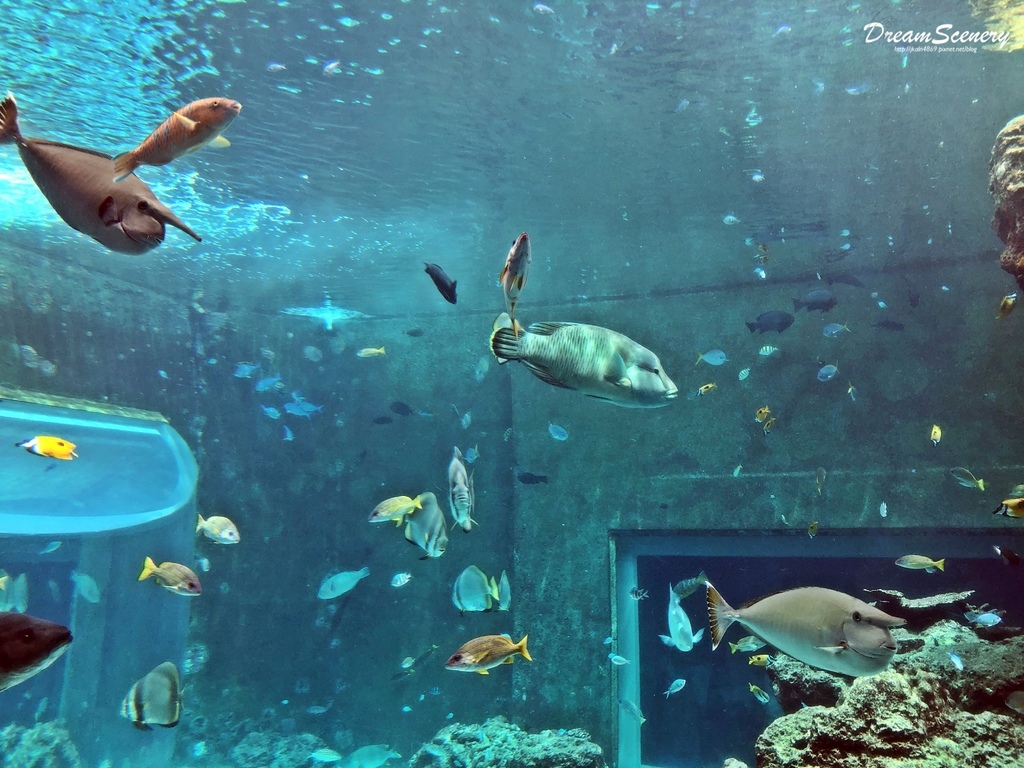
924, 712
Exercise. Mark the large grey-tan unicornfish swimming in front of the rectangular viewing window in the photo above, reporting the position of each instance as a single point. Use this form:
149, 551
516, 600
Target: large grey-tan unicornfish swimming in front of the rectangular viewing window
820, 627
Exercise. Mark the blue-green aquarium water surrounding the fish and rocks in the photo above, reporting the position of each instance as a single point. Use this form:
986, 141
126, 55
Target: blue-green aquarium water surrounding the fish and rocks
650, 150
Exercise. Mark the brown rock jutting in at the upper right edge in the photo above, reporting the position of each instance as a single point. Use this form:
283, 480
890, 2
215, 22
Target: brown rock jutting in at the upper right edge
1006, 184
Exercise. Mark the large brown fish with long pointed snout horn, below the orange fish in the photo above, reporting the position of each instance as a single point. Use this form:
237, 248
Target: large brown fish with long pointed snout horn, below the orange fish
79, 185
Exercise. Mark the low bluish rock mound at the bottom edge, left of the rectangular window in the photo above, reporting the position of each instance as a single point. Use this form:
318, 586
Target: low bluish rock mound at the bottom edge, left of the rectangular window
498, 744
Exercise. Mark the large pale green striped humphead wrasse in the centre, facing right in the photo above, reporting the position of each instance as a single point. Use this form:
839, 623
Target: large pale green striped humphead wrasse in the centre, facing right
591, 360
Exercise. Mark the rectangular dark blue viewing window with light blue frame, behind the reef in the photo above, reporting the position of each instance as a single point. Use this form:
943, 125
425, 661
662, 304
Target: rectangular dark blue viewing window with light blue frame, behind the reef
716, 716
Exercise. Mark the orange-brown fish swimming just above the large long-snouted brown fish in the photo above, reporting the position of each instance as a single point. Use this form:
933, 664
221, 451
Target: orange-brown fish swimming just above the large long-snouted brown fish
193, 127
